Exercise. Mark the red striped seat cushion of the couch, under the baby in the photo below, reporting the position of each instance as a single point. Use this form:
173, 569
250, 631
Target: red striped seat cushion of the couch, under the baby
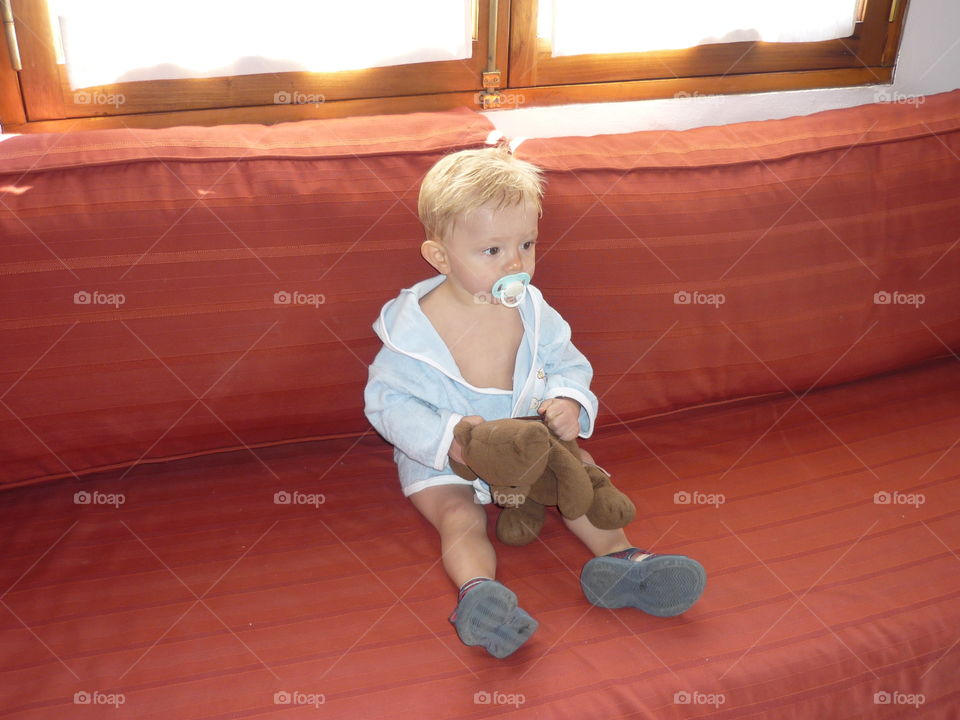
816, 599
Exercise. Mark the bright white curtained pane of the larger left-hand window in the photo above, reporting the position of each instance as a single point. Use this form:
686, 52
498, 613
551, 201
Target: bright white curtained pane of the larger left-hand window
107, 41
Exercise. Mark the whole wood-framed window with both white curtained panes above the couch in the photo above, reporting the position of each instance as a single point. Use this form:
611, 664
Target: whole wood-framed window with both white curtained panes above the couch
541, 50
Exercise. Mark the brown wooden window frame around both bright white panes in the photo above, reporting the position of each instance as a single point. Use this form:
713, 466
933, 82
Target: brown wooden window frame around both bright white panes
40, 99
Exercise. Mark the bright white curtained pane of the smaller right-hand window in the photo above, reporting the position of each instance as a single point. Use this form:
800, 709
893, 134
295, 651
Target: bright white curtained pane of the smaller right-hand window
611, 26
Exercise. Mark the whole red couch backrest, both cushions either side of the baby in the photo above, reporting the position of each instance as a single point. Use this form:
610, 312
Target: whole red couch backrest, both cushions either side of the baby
144, 271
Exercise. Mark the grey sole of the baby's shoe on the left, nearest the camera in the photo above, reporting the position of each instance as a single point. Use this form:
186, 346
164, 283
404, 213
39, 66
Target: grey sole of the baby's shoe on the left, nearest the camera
489, 617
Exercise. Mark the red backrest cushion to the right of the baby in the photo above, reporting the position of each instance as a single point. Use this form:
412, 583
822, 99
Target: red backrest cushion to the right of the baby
777, 234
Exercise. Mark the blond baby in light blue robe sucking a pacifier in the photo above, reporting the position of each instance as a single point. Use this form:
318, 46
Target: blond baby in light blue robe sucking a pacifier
478, 342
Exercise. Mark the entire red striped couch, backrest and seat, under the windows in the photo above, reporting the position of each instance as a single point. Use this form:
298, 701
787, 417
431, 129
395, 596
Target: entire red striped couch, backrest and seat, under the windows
199, 522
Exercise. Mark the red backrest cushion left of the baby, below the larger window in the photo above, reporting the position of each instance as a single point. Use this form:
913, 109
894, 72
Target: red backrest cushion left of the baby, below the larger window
141, 269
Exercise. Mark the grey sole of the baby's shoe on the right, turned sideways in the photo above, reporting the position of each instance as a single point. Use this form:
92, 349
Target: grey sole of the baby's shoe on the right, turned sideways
662, 585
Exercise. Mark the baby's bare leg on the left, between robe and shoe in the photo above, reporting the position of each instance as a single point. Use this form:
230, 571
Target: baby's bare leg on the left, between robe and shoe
462, 524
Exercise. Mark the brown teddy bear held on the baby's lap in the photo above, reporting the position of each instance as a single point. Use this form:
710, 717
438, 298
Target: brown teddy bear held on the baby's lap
527, 467
